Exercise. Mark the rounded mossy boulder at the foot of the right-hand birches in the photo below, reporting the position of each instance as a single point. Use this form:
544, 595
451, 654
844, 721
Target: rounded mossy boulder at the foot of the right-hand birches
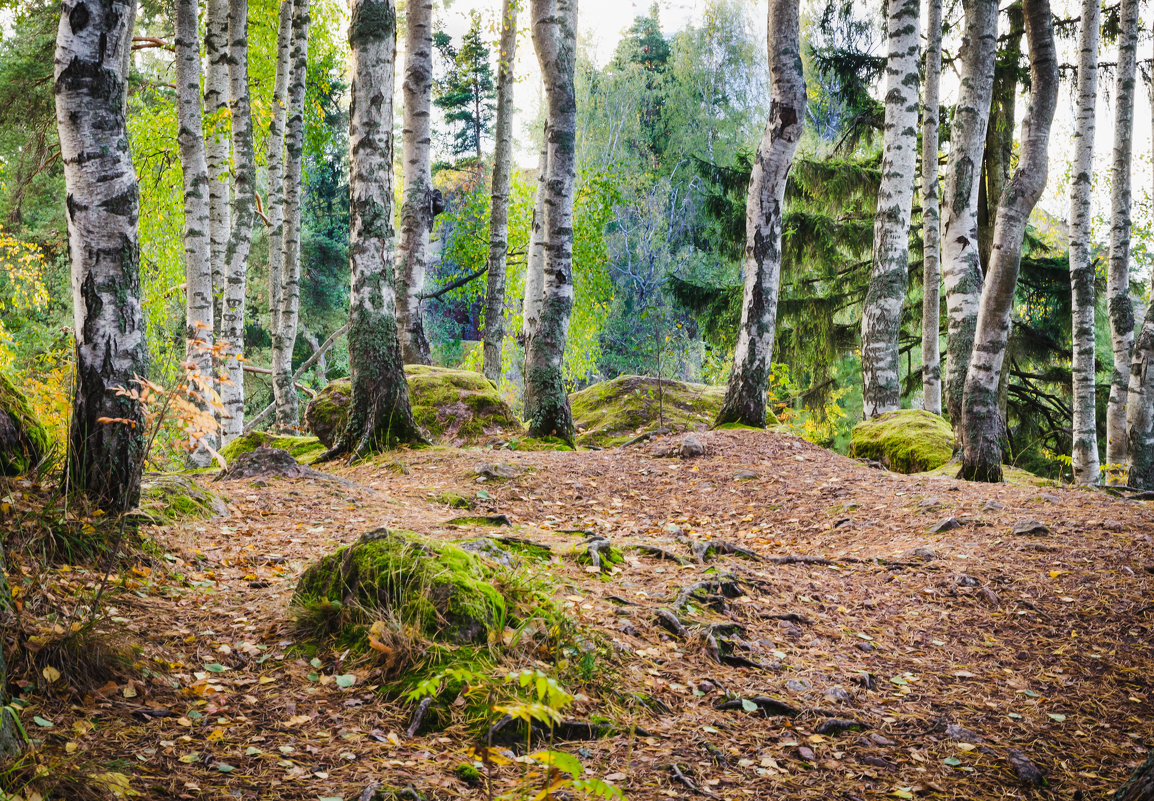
906, 441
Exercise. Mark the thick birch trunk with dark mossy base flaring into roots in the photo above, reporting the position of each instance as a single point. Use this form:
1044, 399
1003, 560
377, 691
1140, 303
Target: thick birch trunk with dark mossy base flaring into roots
379, 414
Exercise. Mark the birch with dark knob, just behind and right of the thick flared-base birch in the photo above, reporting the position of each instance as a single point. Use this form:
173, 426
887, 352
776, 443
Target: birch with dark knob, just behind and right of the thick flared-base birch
417, 205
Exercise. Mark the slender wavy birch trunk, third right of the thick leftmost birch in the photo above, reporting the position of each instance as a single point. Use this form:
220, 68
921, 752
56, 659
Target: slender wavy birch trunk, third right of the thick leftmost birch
233, 317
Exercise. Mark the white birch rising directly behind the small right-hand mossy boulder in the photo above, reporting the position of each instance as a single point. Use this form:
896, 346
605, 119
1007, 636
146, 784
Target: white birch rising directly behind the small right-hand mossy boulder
890, 273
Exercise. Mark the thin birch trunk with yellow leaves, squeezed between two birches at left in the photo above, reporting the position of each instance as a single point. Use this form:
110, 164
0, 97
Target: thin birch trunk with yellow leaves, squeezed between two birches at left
216, 148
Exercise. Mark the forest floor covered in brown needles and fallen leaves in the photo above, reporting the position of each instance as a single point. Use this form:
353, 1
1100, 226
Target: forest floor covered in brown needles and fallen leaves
951, 650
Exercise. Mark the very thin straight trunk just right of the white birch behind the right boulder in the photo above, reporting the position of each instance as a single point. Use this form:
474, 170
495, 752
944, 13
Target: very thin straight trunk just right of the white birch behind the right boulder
932, 216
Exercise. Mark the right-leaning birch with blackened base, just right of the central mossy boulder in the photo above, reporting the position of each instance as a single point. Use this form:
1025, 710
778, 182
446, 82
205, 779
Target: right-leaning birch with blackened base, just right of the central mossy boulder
745, 399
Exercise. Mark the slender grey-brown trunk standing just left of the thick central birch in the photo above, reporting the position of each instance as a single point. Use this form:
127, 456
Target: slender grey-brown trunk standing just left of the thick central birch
499, 214
